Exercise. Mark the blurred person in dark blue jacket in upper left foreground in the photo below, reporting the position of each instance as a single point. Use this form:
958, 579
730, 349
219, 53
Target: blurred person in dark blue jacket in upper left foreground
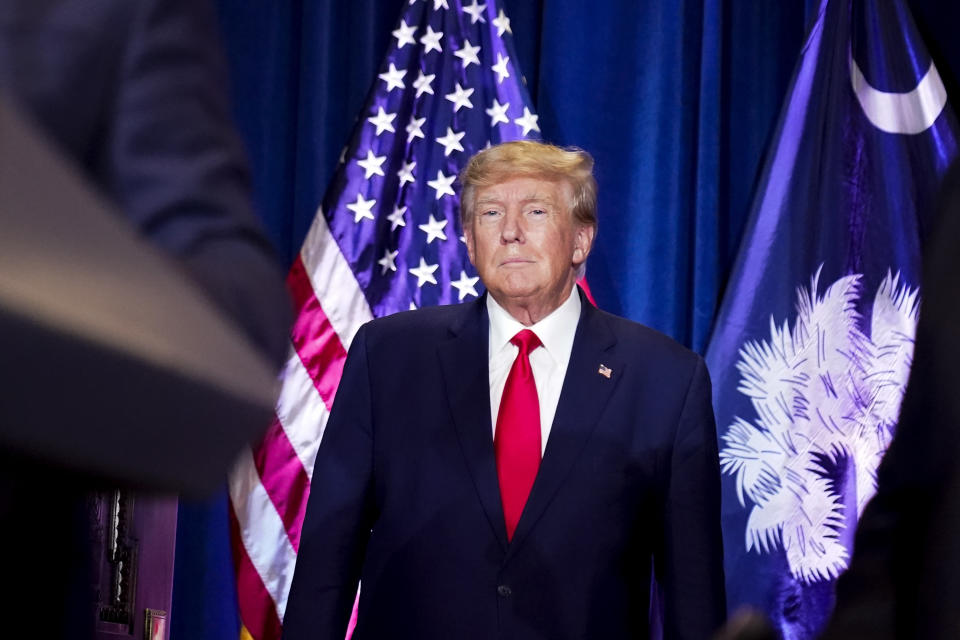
134, 92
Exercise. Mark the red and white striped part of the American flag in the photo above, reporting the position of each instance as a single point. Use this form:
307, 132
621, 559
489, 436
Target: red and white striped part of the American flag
270, 483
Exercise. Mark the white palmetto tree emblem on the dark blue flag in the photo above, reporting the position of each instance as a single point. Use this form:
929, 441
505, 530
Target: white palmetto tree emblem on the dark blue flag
822, 391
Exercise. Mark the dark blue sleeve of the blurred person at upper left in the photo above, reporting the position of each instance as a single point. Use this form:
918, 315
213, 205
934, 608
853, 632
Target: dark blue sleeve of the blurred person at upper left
175, 166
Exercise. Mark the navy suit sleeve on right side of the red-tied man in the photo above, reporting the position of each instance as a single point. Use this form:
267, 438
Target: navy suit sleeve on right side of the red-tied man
690, 559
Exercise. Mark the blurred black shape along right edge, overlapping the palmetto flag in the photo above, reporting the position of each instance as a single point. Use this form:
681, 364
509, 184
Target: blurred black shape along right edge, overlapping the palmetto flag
904, 576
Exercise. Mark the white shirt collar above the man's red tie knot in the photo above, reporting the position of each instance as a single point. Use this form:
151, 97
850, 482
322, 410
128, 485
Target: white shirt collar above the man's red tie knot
555, 331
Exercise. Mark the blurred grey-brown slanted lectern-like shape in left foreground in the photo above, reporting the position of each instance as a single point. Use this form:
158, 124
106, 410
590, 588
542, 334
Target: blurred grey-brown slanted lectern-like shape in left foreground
115, 365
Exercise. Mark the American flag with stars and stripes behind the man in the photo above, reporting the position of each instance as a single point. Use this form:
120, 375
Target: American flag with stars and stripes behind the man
387, 238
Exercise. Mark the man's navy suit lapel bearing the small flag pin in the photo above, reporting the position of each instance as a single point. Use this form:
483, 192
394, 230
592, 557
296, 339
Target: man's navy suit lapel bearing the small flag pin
584, 394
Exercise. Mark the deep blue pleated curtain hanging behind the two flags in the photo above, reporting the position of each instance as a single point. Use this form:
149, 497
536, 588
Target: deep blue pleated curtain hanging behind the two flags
675, 99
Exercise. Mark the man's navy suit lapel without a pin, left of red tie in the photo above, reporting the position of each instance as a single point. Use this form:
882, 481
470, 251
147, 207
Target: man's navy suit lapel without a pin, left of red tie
464, 360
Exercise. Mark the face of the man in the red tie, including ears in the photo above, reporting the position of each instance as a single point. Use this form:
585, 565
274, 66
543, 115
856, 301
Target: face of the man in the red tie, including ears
525, 245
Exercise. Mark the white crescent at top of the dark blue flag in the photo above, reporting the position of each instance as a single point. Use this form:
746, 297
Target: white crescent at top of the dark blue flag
912, 112
